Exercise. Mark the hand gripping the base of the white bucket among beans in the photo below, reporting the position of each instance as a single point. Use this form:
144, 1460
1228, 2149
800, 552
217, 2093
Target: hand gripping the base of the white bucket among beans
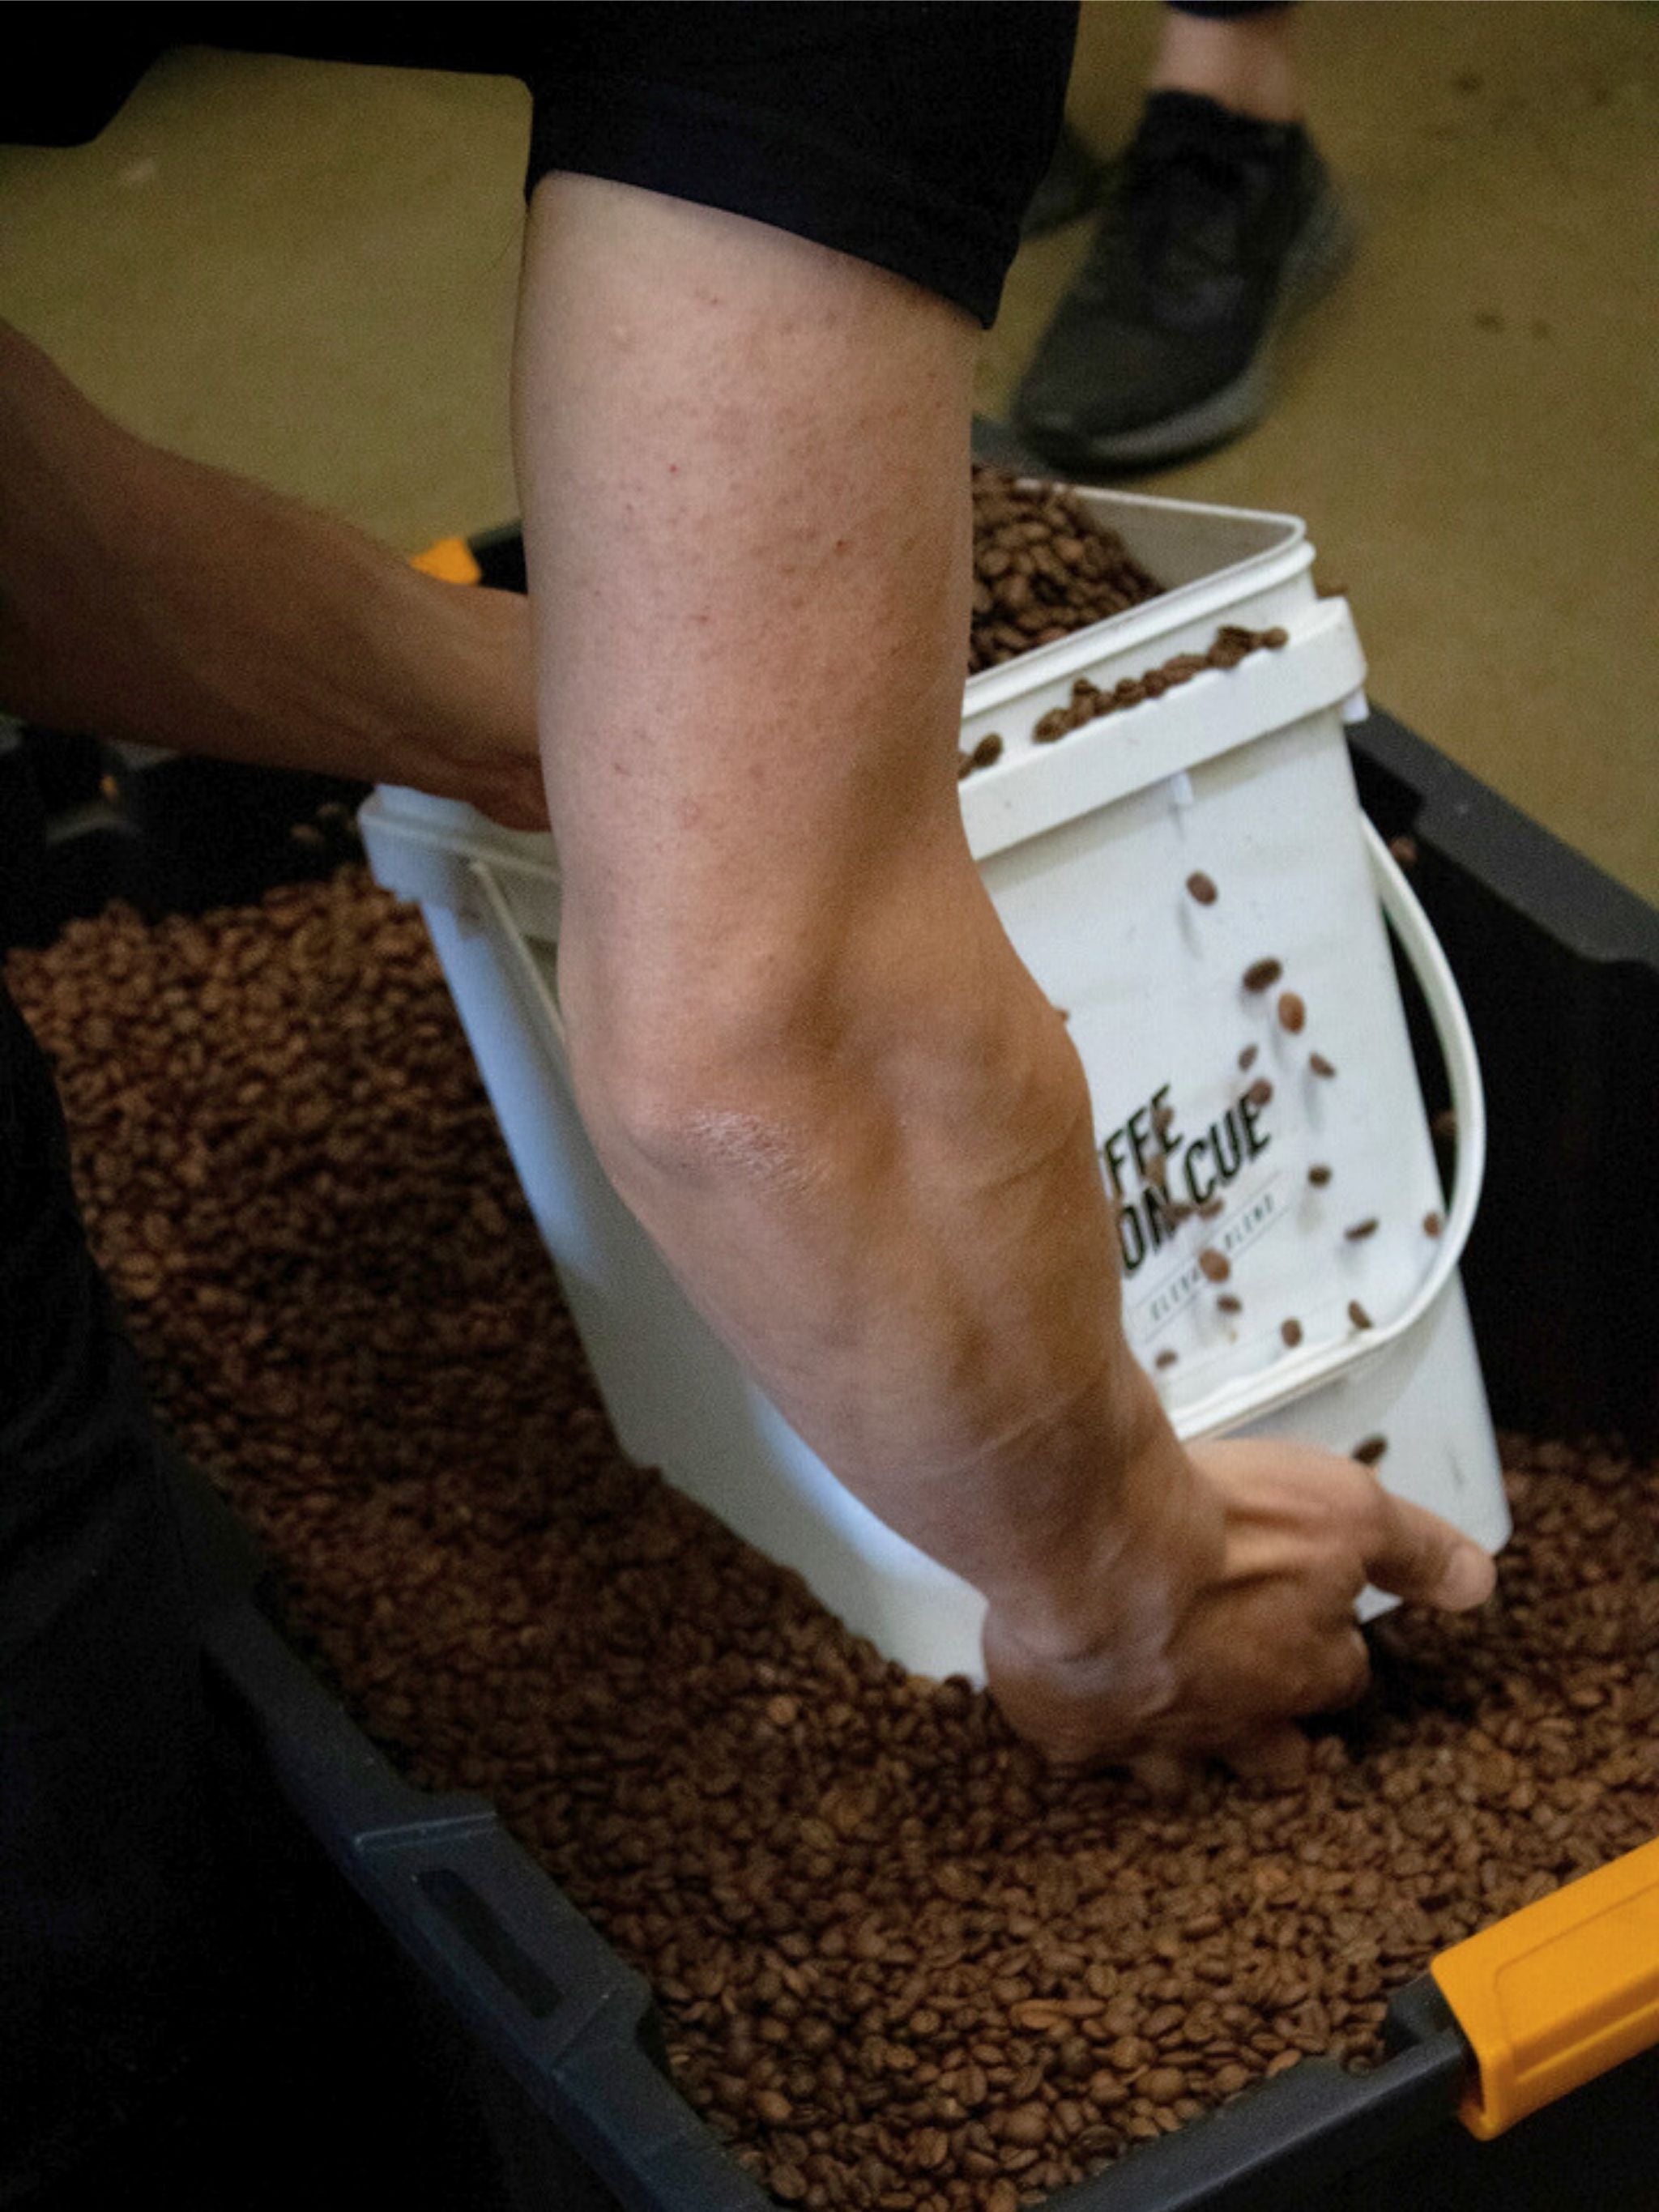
1253, 1629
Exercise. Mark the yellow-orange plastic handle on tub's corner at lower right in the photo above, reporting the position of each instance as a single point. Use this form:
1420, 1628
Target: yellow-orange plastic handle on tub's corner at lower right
1558, 1992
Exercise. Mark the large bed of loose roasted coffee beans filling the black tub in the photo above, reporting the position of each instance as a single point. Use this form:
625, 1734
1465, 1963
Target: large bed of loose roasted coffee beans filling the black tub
901, 1965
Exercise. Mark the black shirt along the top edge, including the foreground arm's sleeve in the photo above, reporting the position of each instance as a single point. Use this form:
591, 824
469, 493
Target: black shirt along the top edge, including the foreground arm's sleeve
904, 132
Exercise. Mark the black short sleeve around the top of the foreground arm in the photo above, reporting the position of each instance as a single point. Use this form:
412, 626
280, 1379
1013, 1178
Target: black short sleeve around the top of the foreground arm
910, 134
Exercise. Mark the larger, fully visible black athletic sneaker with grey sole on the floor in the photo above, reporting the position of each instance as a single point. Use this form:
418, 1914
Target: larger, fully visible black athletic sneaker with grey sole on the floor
1218, 233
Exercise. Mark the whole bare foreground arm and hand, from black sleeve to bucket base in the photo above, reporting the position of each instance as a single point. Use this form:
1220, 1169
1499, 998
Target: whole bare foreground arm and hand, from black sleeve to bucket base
802, 1041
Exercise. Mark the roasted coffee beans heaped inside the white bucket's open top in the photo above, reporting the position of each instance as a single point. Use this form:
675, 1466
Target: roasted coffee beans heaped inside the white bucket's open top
1043, 567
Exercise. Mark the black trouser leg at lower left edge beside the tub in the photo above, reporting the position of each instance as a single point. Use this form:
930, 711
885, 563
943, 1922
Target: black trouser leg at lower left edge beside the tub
105, 1826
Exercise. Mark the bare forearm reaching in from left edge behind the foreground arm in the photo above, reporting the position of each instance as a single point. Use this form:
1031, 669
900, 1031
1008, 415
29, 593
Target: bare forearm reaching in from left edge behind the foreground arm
147, 596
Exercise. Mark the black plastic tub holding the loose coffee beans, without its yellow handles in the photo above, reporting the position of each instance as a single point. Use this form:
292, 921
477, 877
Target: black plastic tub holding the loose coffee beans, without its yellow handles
486, 2049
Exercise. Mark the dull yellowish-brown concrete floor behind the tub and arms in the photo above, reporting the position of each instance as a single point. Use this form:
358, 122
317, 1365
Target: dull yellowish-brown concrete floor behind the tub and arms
306, 273
